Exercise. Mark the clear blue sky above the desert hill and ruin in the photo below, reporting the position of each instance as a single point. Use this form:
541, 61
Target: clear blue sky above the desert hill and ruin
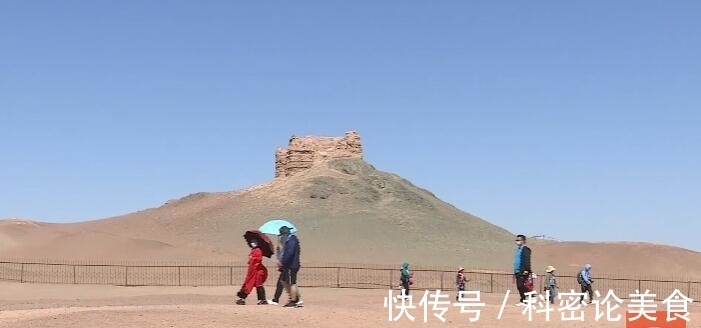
575, 120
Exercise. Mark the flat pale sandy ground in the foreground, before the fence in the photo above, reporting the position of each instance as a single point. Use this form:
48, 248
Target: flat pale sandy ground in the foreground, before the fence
64, 306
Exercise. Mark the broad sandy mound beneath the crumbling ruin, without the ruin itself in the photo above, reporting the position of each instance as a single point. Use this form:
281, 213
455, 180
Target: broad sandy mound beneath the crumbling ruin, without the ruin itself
345, 209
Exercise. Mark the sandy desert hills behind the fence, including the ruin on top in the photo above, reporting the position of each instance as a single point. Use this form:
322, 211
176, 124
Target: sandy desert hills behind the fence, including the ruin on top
347, 211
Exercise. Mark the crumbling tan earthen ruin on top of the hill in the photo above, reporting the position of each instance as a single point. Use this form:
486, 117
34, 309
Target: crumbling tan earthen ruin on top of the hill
304, 152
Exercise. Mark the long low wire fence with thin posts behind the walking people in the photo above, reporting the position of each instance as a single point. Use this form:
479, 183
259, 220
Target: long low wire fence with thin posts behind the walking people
316, 276
